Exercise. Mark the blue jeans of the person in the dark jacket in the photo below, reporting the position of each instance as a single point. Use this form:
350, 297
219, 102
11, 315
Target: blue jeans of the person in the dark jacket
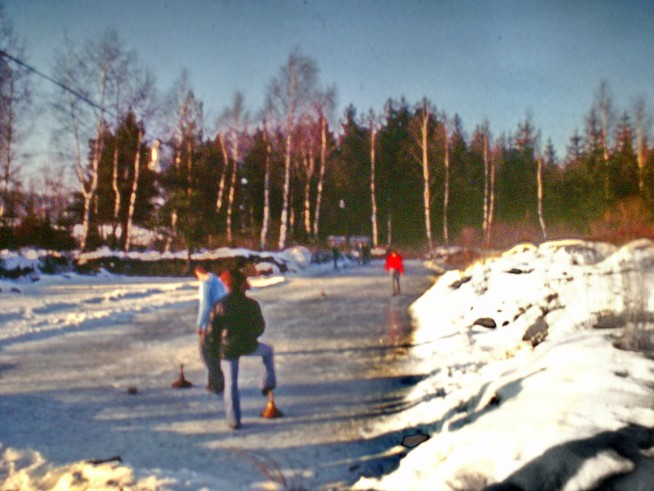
230, 370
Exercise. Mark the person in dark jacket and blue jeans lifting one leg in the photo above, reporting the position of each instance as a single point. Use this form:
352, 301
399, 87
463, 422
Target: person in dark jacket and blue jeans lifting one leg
238, 322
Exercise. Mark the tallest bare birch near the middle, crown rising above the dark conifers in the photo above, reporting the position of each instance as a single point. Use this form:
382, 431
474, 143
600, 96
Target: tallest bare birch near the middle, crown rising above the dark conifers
289, 93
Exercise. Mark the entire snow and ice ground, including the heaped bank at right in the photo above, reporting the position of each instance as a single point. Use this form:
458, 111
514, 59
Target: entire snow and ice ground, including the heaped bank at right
516, 374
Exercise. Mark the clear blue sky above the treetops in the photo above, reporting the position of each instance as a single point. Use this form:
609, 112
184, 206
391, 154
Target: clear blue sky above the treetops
492, 60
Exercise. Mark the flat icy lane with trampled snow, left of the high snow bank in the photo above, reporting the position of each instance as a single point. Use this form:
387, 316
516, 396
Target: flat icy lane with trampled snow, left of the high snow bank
72, 347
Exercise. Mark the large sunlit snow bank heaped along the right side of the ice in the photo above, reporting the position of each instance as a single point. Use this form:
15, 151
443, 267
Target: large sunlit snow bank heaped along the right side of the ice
525, 387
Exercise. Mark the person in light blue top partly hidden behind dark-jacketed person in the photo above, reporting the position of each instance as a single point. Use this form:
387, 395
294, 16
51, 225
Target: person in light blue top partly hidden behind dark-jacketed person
210, 291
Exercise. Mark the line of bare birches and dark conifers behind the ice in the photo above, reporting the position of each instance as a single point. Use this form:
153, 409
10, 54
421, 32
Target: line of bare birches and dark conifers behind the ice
295, 172
